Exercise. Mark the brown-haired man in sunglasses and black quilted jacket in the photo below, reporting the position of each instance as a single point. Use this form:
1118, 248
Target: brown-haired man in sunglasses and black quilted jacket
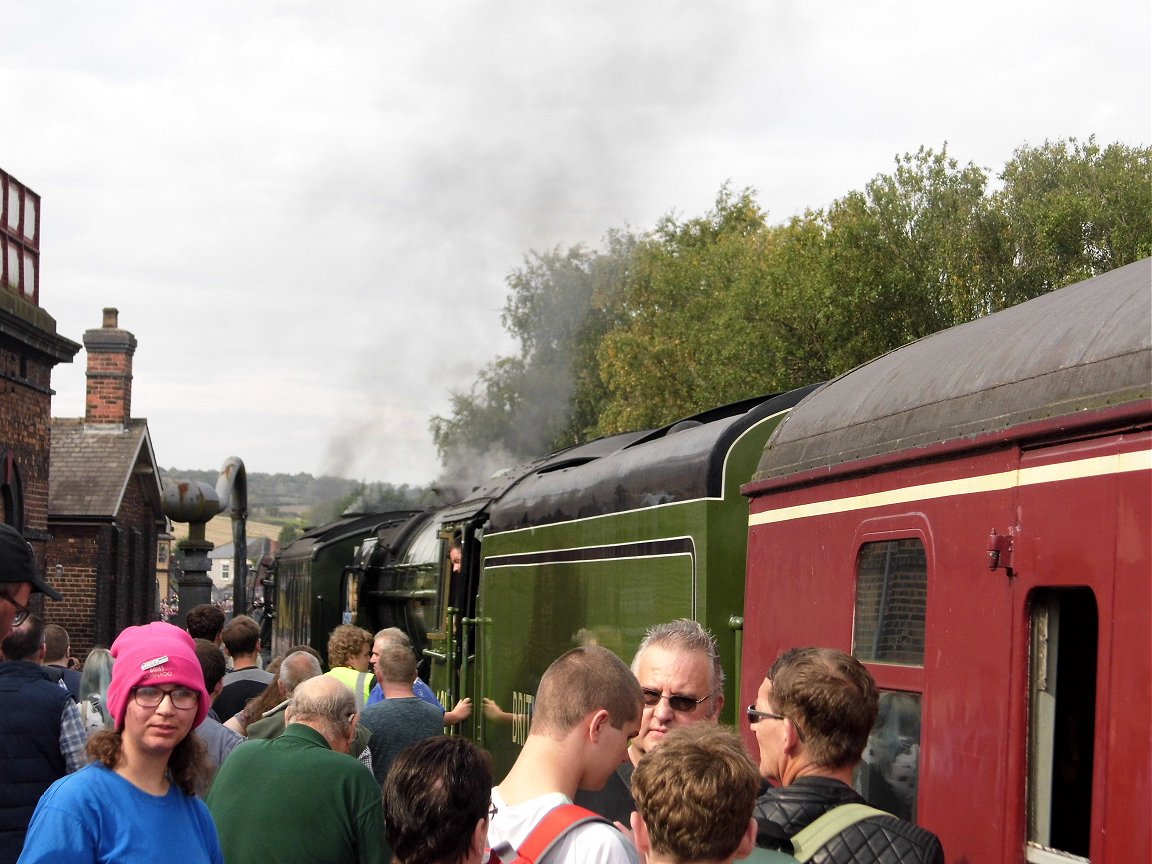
813, 718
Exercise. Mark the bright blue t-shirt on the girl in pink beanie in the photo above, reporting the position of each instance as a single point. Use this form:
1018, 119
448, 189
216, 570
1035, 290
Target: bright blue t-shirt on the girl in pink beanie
97, 817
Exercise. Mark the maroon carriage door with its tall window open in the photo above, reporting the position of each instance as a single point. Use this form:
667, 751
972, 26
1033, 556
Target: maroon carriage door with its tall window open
1063, 569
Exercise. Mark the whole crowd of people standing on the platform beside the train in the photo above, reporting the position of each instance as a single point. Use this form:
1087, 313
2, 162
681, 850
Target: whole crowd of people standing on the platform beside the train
133, 760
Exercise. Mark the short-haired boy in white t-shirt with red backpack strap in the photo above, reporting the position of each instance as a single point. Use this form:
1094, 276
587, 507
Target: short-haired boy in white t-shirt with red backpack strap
587, 710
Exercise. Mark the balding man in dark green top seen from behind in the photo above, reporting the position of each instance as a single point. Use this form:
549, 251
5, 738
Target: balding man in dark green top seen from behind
301, 799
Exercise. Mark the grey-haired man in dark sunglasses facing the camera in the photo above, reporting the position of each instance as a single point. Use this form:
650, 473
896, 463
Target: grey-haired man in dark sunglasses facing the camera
683, 681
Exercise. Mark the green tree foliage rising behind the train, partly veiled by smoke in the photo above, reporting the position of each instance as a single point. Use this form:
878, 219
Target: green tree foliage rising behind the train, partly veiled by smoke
726, 306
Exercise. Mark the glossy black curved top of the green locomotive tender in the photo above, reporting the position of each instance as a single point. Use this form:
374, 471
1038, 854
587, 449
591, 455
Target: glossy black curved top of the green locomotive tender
678, 463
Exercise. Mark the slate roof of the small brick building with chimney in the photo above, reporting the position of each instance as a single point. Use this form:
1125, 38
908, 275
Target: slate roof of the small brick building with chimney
93, 465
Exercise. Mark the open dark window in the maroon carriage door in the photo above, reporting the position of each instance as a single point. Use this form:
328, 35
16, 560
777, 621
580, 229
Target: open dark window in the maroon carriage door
1062, 724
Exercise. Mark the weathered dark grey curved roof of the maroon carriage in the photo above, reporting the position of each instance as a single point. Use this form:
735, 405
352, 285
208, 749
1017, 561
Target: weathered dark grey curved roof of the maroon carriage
1078, 350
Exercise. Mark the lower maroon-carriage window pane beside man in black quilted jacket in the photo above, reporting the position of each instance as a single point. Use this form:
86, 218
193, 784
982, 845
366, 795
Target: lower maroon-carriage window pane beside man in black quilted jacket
889, 775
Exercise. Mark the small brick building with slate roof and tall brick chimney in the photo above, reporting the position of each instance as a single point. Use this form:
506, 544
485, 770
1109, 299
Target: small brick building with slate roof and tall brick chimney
104, 502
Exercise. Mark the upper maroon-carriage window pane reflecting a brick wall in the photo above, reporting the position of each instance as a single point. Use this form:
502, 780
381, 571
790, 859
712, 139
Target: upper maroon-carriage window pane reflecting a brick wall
892, 588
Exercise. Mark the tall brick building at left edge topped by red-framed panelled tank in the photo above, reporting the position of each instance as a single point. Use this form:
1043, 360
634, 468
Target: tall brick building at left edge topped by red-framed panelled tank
29, 350
